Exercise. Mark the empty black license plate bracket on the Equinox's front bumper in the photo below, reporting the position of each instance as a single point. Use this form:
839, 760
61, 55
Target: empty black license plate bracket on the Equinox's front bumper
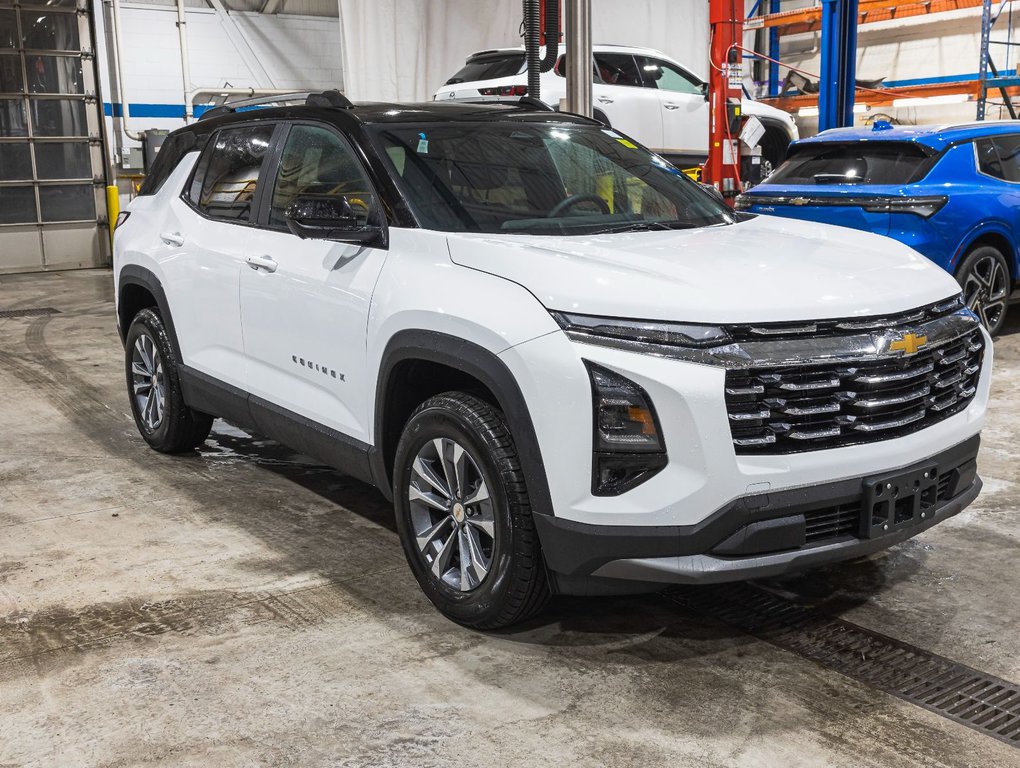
899, 501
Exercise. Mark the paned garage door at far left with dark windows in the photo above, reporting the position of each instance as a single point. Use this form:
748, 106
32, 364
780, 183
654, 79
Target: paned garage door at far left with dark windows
52, 156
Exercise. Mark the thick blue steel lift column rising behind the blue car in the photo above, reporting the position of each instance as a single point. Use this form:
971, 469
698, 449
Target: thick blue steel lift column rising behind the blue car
839, 64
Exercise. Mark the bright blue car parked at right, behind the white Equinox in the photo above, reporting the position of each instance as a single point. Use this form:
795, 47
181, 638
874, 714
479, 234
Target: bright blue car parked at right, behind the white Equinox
950, 192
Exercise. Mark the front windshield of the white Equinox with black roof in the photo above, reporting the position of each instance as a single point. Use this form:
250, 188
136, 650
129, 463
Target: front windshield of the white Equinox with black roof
541, 179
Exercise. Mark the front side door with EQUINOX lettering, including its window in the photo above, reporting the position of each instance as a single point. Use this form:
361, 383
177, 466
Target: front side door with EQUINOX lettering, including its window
304, 303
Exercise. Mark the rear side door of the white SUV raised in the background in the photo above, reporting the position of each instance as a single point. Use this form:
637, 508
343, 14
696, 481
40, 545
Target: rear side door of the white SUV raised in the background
631, 109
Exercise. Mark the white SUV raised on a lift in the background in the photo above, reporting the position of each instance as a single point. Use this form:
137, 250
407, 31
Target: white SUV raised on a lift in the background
641, 92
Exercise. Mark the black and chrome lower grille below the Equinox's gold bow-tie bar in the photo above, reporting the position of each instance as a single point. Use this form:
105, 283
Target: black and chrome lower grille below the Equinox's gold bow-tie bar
831, 405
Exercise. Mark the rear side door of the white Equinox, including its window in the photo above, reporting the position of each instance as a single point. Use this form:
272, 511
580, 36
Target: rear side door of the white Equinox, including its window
205, 241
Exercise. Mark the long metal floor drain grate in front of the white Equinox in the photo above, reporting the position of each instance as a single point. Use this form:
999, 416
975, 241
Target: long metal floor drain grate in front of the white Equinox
988, 704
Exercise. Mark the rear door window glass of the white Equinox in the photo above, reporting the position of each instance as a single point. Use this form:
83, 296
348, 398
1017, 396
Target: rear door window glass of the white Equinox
227, 177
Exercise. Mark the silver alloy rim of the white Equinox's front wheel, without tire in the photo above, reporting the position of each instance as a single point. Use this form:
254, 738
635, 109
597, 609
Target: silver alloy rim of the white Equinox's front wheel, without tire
452, 515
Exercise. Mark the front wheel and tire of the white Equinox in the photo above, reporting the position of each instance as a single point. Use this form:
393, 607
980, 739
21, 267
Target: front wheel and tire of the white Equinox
513, 586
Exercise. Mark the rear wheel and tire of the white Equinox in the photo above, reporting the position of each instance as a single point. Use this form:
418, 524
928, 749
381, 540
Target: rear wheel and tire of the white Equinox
166, 423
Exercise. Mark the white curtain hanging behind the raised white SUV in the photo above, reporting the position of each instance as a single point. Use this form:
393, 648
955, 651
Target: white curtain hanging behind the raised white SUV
404, 50
